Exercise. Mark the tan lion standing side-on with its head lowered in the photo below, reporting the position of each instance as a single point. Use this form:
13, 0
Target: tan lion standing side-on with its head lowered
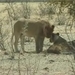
39, 29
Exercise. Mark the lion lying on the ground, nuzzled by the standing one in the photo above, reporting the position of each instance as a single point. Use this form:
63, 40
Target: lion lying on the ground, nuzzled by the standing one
59, 44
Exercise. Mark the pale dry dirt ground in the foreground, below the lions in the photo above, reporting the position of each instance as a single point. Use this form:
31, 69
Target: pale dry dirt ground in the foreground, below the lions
37, 64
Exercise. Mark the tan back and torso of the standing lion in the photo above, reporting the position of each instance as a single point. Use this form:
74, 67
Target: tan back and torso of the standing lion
30, 27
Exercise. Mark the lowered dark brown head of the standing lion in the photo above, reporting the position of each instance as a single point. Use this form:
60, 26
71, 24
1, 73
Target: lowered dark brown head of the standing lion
48, 30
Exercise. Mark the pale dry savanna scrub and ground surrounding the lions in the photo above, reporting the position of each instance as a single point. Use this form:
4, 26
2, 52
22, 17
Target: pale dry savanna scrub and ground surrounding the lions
60, 13
